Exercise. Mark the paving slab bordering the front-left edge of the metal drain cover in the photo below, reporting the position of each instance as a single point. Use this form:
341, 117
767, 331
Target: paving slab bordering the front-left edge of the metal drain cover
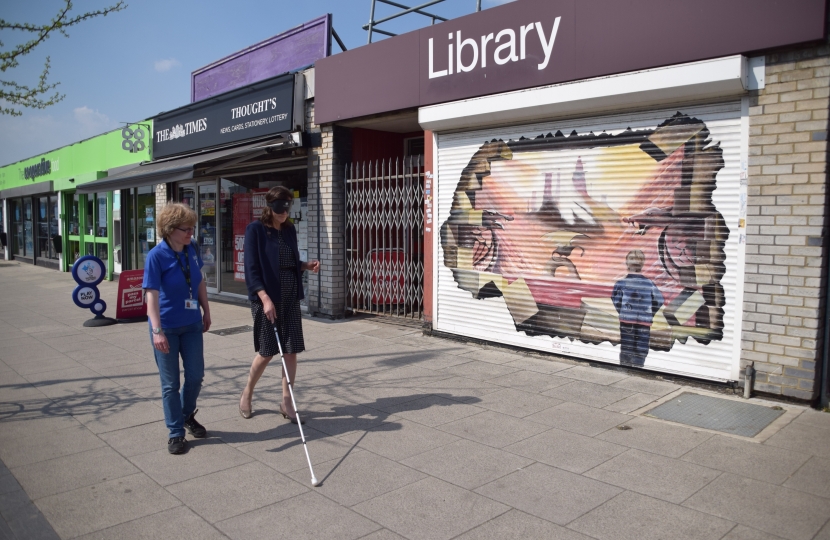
657, 437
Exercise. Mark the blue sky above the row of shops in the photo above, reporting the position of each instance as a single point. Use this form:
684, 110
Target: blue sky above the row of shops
136, 63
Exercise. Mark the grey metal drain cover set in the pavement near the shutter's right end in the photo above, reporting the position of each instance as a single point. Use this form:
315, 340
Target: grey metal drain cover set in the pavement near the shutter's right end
718, 414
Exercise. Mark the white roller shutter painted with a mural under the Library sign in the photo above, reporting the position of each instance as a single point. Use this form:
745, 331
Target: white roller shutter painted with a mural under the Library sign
616, 239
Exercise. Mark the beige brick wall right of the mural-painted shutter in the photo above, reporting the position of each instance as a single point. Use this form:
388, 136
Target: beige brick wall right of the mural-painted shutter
786, 211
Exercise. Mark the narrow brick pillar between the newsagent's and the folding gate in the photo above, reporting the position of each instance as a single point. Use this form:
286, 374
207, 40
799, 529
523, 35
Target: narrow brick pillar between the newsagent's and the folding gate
326, 215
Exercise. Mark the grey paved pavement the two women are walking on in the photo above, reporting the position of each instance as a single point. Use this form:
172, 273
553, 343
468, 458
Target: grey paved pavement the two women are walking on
411, 436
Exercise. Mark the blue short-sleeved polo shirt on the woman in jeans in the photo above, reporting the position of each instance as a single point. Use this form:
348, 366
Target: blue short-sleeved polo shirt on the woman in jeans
163, 273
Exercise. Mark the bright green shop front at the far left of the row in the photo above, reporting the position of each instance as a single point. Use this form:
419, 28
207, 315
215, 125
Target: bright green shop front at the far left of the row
48, 222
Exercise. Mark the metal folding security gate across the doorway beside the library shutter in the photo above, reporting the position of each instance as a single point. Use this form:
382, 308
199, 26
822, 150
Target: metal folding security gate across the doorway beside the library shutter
385, 237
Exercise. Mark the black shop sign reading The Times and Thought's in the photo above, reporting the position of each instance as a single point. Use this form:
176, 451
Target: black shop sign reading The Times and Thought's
258, 110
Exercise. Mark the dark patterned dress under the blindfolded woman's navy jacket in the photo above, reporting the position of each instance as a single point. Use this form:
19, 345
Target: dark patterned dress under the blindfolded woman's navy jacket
289, 319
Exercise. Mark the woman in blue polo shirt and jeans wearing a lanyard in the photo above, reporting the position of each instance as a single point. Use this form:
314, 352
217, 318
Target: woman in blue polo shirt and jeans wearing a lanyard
178, 313
